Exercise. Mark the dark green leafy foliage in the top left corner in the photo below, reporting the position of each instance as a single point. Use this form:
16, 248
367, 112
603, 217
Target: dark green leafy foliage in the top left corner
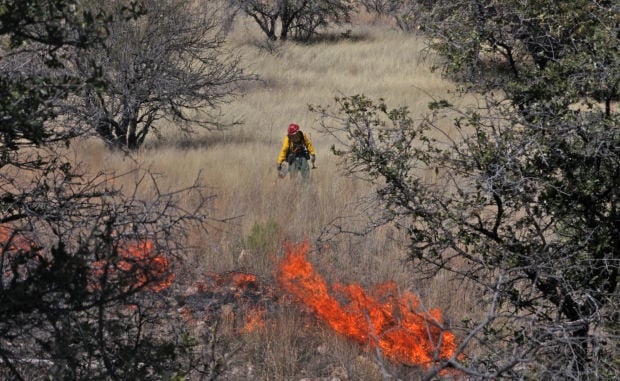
37, 35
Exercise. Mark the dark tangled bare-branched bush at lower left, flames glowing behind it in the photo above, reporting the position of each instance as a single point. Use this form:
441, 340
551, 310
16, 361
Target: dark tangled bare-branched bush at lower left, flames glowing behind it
85, 267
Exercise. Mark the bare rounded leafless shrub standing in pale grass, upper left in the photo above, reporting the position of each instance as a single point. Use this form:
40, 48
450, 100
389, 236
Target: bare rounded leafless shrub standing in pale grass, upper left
167, 63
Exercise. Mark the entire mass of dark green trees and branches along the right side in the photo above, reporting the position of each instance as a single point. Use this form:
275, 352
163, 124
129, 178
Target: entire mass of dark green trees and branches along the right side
525, 195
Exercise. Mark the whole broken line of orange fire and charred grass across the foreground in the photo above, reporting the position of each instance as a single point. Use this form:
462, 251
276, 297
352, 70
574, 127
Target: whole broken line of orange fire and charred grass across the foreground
381, 319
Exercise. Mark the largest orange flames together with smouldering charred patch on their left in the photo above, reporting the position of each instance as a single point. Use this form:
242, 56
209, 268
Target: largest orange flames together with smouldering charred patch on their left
381, 319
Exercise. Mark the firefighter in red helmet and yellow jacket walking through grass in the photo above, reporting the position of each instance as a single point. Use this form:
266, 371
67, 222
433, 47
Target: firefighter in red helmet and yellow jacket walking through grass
296, 150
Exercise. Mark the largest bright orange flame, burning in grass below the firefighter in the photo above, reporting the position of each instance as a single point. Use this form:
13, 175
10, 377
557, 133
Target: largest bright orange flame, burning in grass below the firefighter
382, 318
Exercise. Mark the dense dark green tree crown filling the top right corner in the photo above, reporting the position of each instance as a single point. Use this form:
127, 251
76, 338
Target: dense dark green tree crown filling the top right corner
569, 48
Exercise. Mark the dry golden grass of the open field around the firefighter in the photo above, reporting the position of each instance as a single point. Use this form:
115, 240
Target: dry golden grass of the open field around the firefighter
238, 165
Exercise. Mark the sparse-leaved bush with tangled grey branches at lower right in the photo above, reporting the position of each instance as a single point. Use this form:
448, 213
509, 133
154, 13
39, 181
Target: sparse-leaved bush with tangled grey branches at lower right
549, 295
